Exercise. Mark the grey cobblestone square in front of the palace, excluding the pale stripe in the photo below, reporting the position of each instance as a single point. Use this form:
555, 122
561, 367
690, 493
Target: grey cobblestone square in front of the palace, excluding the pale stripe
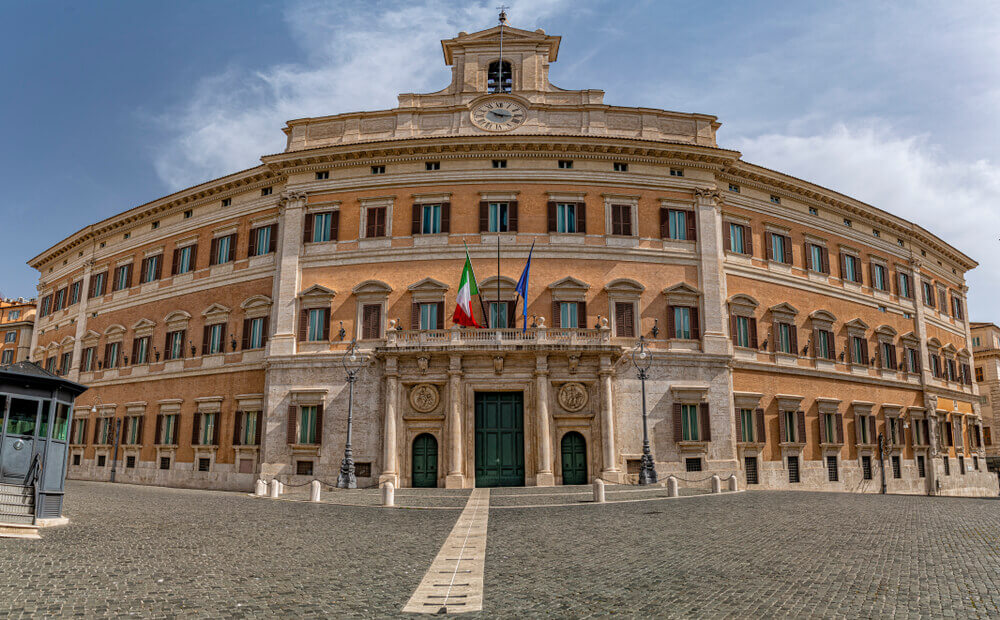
166, 552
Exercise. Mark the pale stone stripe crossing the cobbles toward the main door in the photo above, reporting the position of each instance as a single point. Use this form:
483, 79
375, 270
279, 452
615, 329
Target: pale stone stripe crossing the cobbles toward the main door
454, 582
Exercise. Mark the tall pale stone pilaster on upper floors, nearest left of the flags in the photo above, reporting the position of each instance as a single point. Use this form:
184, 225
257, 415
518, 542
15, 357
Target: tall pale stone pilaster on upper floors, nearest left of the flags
287, 275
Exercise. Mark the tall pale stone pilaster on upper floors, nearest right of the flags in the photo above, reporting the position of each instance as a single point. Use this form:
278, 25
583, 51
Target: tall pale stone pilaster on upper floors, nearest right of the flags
711, 257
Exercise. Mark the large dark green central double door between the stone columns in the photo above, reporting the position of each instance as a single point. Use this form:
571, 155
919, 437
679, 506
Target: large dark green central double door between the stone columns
499, 439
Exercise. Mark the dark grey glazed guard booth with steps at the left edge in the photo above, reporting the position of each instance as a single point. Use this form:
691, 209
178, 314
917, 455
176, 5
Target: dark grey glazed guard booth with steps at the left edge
36, 411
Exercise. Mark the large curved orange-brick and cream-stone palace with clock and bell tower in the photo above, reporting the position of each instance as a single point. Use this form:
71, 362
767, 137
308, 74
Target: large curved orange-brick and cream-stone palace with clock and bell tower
790, 326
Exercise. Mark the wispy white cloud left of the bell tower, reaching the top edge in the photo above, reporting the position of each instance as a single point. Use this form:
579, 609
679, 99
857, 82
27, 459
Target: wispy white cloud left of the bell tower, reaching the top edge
356, 58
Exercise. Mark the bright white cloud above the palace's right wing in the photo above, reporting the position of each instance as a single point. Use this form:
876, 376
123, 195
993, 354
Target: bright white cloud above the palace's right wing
906, 176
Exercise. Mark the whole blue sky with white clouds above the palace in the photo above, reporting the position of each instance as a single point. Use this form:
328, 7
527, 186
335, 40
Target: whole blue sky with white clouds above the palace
108, 105
